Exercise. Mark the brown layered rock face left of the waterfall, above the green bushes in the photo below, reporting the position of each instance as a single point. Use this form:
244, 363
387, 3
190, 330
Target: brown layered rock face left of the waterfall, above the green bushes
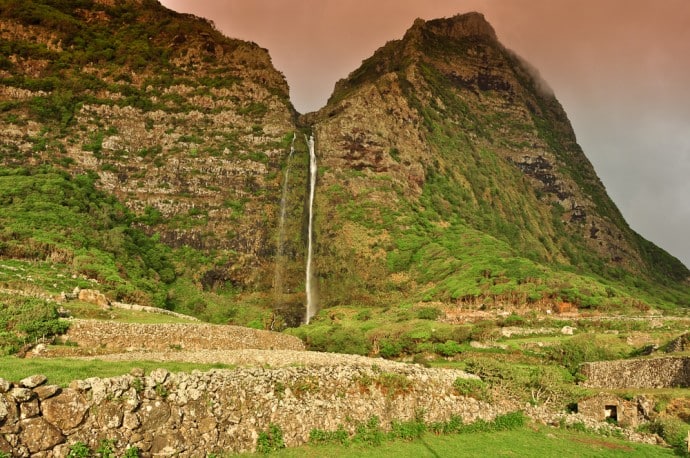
184, 125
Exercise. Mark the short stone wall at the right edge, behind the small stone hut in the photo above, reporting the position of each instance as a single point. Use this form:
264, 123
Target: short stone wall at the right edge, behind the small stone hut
666, 372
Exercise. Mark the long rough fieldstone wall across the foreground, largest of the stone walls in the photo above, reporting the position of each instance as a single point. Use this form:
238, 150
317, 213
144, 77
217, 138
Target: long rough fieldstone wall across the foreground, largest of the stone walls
165, 414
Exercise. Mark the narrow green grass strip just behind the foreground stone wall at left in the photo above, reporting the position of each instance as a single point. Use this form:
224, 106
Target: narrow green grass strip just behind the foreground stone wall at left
61, 371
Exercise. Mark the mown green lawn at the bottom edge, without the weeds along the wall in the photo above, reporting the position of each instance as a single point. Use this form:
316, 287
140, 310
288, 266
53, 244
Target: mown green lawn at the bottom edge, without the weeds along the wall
525, 442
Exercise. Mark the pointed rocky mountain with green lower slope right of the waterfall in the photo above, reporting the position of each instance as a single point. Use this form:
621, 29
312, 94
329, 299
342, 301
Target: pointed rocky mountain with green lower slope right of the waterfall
445, 132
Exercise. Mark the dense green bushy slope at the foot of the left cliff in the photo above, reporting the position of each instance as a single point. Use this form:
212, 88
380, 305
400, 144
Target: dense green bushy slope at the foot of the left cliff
49, 216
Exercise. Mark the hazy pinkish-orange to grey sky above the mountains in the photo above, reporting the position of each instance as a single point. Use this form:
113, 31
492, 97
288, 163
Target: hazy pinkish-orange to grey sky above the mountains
620, 68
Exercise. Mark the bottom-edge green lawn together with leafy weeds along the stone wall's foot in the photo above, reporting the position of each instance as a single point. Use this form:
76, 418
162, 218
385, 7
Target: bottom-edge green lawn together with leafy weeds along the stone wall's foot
504, 437
